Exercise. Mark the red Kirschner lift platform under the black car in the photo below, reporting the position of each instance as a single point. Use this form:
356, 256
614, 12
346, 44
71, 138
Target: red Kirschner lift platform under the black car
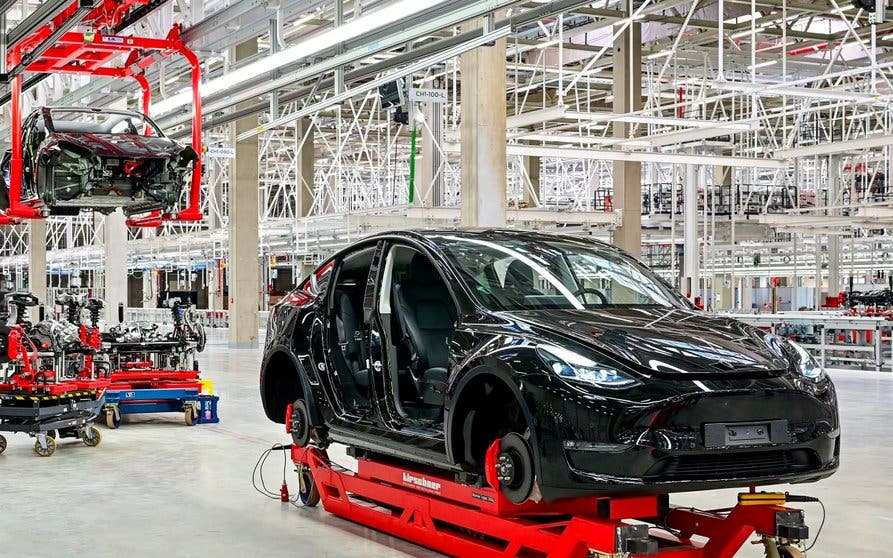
457, 519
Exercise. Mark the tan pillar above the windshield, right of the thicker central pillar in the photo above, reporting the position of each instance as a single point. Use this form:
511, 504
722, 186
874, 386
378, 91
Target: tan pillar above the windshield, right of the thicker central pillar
627, 89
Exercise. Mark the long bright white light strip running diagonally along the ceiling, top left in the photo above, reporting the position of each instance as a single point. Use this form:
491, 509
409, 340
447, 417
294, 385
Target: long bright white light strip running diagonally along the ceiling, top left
353, 29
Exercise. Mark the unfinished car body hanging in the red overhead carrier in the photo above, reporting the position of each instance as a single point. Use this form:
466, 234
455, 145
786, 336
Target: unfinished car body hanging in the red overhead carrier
98, 159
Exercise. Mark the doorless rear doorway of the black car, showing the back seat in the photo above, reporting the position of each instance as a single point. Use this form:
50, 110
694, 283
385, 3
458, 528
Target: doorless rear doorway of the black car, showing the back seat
346, 335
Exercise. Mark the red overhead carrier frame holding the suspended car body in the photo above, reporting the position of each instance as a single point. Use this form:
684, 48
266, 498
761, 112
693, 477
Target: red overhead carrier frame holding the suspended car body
53, 49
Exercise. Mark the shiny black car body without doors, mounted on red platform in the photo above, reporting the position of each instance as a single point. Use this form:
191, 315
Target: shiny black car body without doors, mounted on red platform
428, 346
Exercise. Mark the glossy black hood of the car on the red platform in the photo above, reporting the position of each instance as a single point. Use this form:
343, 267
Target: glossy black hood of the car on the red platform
668, 341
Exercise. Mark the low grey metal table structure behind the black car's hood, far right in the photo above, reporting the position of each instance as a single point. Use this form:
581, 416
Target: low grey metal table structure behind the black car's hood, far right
832, 337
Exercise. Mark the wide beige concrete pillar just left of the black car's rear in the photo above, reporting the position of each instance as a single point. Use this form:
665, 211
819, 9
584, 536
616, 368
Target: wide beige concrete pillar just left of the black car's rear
243, 270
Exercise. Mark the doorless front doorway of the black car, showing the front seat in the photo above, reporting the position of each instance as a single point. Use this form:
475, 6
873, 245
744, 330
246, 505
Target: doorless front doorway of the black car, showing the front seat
422, 319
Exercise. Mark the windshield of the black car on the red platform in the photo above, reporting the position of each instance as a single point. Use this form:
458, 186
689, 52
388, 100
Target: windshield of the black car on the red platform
515, 274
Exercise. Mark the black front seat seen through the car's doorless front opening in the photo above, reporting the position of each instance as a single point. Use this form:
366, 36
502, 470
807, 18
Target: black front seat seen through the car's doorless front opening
427, 317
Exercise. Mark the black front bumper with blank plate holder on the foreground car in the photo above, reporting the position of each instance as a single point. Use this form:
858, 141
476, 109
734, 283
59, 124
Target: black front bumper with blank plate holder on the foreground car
589, 443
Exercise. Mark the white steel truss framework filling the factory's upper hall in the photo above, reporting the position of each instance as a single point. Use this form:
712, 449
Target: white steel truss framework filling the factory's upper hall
786, 111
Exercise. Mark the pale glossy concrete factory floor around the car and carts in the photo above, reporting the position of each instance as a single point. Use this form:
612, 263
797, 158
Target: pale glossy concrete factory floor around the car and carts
157, 488
